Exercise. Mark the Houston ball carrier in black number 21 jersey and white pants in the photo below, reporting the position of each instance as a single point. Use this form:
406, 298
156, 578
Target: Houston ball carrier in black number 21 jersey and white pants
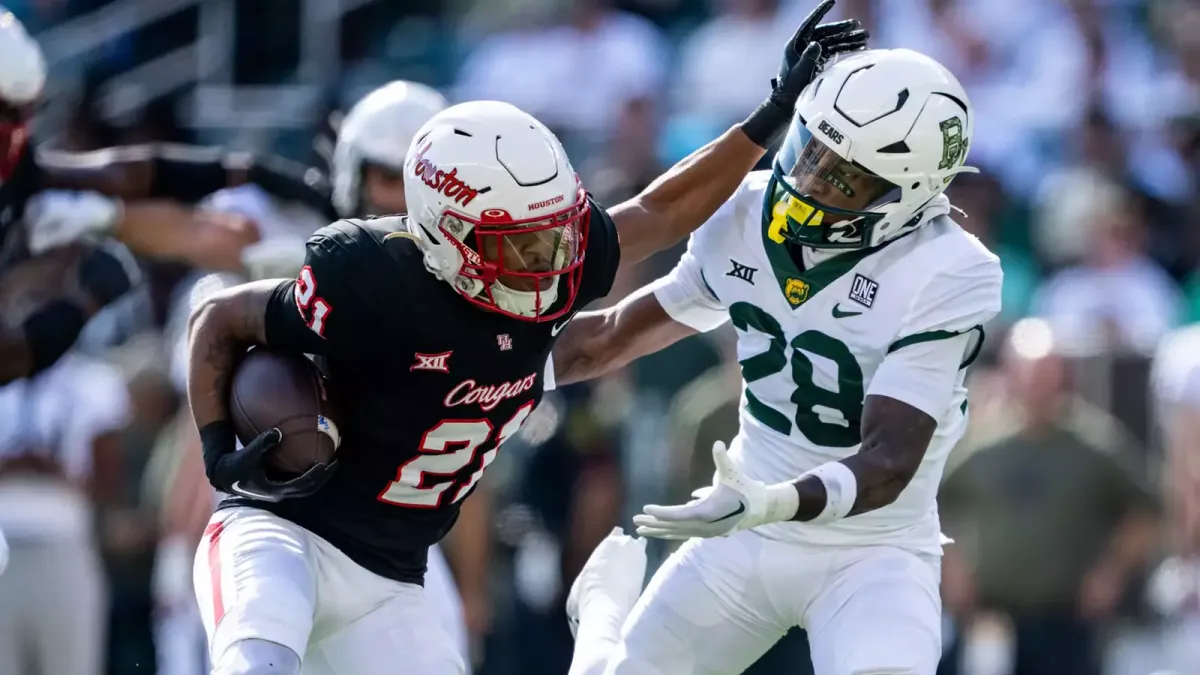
435, 330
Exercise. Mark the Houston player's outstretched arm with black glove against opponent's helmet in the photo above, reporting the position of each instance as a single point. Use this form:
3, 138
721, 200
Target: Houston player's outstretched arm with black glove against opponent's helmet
691, 193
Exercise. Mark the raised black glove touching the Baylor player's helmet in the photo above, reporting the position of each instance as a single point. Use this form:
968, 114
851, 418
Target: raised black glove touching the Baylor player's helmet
803, 57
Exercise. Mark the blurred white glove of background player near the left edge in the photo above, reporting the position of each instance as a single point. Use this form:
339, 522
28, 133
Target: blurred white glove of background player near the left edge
57, 218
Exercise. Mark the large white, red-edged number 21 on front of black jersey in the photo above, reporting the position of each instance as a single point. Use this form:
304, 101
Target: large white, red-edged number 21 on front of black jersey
446, 451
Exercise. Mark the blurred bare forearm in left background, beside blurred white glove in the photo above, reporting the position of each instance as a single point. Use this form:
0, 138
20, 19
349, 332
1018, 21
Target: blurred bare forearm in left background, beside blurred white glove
171, 231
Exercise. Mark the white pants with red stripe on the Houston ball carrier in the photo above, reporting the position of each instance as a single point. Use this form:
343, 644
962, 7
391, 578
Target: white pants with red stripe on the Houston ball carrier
261, 577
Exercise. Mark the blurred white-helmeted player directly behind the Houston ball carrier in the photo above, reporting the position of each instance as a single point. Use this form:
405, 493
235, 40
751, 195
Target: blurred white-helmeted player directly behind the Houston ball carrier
367, 178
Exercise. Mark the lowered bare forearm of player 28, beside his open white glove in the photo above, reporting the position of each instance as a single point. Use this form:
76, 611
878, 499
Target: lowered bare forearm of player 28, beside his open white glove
896, 437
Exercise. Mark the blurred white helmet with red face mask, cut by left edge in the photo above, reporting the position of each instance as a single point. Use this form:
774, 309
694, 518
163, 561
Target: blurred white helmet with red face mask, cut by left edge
22, 79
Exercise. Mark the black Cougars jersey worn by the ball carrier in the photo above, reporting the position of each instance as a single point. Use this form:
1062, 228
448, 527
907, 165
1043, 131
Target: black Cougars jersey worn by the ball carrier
427, 386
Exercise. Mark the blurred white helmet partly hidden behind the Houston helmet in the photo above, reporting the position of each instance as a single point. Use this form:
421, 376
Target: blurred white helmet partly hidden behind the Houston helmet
379, 130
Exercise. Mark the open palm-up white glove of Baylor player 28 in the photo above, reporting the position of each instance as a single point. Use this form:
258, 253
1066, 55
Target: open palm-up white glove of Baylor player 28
735, 503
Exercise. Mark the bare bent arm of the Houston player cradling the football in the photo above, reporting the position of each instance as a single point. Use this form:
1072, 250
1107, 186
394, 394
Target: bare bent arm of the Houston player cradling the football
221, 330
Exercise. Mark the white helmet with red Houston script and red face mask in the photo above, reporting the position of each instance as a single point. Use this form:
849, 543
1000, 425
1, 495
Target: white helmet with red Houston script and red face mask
499, 210
